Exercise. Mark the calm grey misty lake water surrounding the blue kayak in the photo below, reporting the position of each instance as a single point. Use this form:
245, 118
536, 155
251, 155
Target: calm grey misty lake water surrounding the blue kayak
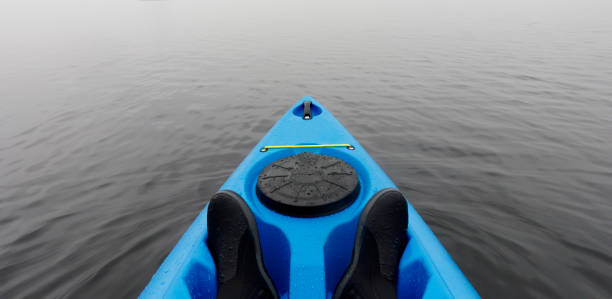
119, 119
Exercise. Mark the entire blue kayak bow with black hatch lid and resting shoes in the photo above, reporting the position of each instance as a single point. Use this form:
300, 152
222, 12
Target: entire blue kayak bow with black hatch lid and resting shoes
310, 229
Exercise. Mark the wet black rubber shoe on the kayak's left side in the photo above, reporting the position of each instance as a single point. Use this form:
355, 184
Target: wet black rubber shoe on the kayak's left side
234, 244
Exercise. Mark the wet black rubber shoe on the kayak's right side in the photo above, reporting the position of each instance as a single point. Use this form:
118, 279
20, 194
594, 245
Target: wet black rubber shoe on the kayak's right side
379, 244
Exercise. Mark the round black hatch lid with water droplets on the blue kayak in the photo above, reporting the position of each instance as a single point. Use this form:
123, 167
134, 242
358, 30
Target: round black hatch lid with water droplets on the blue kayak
307, 185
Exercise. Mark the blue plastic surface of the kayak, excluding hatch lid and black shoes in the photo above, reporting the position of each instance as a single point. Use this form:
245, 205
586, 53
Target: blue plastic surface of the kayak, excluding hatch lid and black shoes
307, 256
